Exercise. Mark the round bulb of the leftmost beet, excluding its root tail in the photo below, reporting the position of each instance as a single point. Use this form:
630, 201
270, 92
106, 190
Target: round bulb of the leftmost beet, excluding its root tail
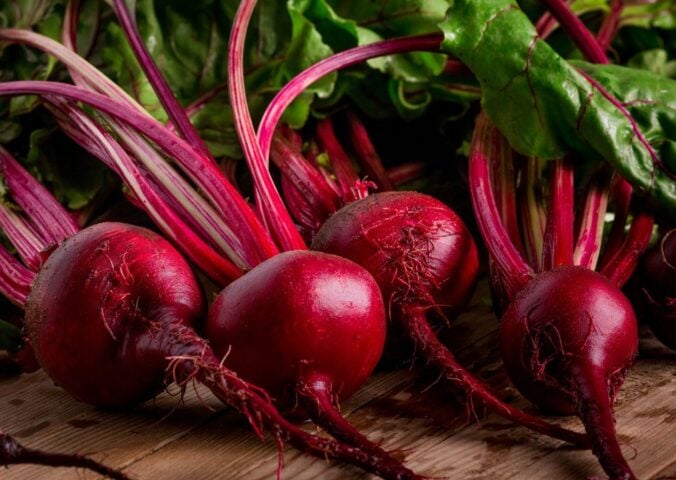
97, 305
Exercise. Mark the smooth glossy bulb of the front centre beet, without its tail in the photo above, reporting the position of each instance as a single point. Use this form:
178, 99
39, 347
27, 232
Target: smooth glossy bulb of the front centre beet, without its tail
300, 317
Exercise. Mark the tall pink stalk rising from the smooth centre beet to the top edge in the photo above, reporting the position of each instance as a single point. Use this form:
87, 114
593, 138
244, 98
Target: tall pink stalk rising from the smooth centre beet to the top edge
268, 201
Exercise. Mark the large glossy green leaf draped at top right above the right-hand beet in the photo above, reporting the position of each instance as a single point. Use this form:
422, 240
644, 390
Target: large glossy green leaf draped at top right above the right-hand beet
541, 103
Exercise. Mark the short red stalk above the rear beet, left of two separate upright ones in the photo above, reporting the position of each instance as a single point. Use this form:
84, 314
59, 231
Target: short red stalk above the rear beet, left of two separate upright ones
346, 176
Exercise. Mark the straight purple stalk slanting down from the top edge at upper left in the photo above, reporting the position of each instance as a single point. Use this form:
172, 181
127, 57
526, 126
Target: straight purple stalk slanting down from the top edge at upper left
175, 111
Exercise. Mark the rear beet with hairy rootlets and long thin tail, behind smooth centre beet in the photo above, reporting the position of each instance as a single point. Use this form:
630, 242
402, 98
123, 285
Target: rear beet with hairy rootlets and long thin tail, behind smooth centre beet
423, 257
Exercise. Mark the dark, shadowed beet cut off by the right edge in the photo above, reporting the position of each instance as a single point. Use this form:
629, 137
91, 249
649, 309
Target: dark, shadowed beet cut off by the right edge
656, 285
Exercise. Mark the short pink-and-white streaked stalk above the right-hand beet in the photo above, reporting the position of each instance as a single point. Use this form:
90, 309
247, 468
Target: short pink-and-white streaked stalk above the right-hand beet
588, 246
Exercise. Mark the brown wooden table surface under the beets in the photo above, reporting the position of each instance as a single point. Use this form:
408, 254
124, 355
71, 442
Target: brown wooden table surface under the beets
195, 438
